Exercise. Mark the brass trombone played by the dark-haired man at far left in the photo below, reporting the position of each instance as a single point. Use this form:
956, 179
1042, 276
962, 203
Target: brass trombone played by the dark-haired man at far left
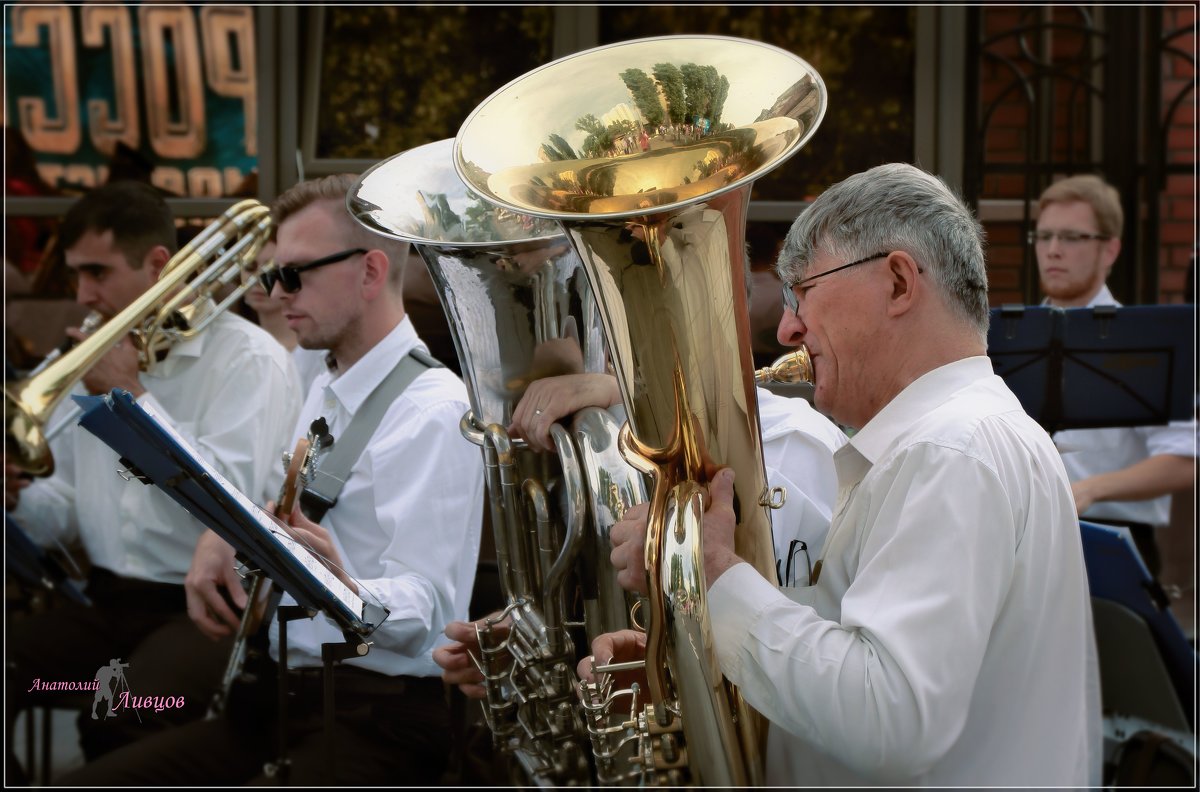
177, 308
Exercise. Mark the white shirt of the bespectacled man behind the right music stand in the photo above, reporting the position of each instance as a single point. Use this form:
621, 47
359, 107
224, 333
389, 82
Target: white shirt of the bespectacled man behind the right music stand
1088, 453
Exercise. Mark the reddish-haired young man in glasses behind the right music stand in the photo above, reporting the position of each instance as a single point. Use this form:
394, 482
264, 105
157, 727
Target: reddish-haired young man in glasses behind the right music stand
1120, 476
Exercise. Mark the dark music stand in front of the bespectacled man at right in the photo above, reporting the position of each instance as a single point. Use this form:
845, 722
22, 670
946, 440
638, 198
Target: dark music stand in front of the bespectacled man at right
1097, 368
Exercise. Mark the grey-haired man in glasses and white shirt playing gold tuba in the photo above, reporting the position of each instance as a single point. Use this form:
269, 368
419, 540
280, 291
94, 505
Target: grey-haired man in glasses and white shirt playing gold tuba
949, 638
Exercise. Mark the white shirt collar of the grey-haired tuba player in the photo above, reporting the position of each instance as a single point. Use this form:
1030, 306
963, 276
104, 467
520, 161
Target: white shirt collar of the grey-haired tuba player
920, 399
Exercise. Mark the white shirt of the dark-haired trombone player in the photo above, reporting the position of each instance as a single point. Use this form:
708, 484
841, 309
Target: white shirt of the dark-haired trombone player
232, 393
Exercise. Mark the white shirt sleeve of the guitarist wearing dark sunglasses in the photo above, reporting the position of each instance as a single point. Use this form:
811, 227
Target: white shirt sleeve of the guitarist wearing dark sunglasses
428, 489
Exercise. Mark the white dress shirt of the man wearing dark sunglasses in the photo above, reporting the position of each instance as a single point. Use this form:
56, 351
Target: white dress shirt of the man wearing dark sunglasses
407, 524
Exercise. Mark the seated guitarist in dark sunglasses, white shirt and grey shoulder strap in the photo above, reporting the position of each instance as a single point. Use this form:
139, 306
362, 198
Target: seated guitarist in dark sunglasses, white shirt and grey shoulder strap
403, 532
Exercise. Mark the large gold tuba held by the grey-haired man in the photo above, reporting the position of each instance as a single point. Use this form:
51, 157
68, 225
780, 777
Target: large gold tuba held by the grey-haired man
645, 152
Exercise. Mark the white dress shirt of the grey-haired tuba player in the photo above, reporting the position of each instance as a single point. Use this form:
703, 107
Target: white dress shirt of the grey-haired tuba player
949, 640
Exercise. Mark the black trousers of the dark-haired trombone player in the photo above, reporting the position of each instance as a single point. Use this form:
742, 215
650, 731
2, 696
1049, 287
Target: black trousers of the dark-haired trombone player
139, 623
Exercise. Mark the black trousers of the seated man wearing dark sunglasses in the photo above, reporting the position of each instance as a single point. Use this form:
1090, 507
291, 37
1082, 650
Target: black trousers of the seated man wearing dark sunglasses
388, 731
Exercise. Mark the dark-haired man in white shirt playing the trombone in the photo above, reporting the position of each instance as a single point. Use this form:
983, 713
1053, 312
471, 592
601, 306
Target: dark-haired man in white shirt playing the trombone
232, 392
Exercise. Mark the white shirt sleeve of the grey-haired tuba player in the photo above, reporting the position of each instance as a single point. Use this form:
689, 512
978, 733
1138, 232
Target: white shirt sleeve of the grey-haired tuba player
886, 688
